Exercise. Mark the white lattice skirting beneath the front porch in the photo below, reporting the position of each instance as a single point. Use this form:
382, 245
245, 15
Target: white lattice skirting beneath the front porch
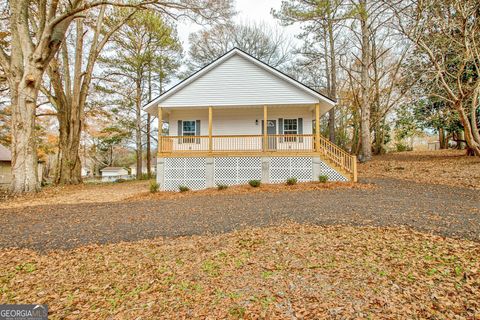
201, 173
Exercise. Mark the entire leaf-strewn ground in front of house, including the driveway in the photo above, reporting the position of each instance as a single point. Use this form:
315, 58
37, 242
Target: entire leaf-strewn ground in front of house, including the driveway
328, 251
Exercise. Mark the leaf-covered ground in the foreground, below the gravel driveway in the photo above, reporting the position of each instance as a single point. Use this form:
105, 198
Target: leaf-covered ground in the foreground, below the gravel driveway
287, 272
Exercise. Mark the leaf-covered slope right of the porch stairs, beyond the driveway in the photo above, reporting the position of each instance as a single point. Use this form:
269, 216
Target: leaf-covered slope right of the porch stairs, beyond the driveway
449, 167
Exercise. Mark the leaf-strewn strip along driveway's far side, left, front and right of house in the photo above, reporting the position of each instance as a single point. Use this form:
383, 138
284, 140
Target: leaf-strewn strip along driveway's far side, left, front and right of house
446, 167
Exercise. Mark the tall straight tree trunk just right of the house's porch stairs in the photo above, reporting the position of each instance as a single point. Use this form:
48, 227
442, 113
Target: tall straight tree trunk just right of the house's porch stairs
365, 107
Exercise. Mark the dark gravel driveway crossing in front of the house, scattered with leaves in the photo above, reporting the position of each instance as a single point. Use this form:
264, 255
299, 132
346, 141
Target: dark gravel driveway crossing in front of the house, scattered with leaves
444, 210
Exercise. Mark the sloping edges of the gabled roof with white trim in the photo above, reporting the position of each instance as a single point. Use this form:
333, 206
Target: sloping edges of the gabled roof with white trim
235, 51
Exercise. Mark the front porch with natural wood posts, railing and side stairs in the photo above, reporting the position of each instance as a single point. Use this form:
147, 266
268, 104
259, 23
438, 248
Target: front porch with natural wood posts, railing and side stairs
195, 143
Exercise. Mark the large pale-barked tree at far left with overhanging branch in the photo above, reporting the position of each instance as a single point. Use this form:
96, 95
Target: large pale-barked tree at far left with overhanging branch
38, 30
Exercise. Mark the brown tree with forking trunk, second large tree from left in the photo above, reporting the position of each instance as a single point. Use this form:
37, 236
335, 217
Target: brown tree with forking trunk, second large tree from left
68, 89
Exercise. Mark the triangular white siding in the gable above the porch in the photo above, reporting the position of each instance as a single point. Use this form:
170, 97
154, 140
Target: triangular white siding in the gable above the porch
238, 81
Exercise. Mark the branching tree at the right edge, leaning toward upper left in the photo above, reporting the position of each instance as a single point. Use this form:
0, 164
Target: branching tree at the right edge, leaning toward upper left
448, 35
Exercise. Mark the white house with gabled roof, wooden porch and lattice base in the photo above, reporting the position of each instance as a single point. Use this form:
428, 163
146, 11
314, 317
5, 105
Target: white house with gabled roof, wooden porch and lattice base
238, 119
